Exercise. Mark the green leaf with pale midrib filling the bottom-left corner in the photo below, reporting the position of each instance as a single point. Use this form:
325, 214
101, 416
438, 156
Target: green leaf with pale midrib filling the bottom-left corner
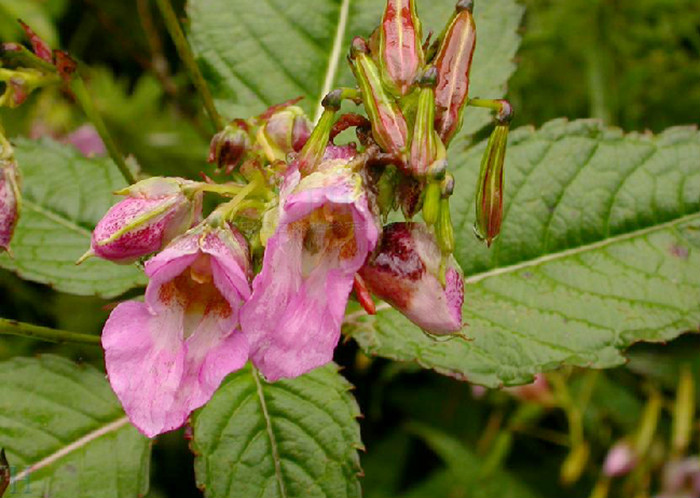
65, 433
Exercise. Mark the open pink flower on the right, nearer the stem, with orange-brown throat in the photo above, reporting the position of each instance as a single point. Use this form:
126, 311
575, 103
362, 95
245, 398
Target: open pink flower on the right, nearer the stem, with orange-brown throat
324, 234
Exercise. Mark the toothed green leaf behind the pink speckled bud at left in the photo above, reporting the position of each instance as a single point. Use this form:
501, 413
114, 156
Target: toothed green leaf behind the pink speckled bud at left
64, 195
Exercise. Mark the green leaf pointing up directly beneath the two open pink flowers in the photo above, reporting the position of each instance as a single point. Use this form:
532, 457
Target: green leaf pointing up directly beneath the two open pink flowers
293, 438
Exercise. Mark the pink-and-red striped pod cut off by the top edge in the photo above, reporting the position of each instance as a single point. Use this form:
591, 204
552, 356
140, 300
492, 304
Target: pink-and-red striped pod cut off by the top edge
400, 49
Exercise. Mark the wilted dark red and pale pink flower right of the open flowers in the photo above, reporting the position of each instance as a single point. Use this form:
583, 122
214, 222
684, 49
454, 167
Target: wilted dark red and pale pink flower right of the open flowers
405, 272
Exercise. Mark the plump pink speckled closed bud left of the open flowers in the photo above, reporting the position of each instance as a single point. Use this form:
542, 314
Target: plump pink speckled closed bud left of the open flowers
155, 212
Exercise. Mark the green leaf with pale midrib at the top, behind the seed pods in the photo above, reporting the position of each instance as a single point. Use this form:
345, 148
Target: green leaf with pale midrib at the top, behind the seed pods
258, 53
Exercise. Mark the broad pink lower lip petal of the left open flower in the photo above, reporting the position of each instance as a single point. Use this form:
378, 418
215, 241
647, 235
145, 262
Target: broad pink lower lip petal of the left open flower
159, 377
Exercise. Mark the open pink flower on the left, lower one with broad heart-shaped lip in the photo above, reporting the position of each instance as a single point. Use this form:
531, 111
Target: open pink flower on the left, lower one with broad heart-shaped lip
166, 356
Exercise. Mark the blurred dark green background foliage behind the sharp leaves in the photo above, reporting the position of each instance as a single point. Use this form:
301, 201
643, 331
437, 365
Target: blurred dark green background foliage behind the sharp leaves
633, 64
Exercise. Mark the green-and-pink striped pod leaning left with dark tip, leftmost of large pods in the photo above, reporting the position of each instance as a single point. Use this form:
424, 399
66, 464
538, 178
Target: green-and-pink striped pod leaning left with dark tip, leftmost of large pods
389, 127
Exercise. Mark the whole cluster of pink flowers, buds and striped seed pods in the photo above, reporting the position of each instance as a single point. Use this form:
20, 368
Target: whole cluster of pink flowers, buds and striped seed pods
266, 275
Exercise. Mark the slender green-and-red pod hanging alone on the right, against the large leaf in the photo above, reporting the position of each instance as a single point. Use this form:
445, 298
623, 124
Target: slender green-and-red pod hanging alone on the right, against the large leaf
489, 190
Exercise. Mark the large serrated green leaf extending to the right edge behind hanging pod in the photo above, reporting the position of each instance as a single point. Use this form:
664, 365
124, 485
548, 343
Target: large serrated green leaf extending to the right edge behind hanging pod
600, 248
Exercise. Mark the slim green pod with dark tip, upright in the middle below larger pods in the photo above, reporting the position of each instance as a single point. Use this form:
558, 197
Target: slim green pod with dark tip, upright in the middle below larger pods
426, 146
